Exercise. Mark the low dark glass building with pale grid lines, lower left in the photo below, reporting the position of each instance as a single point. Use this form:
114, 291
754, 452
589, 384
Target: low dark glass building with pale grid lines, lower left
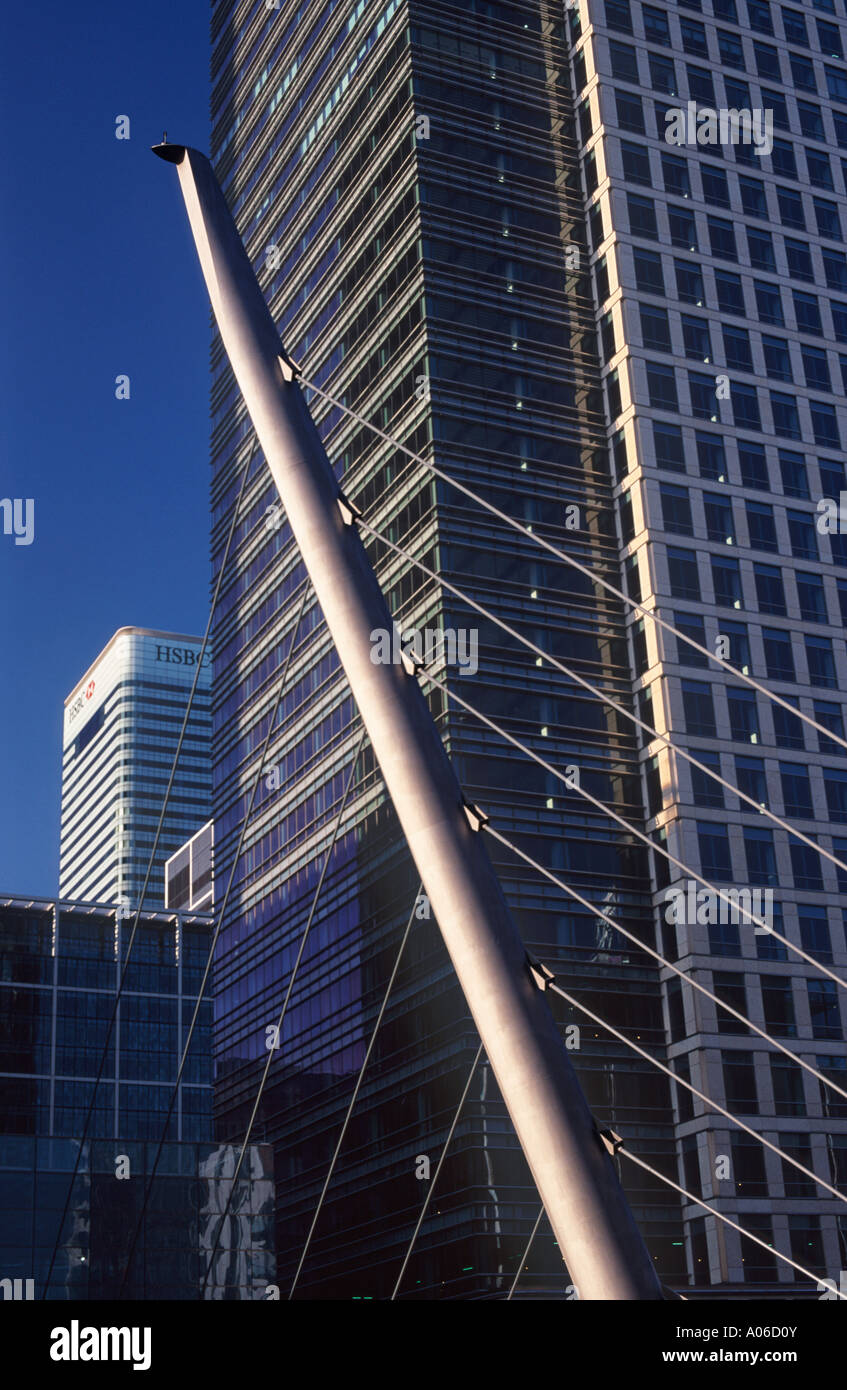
60, 964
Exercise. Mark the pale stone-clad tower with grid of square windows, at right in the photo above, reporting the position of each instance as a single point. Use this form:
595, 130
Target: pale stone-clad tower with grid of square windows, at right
723, 300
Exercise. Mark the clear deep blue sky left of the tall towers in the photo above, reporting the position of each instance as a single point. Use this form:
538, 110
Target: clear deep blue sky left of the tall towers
98, 277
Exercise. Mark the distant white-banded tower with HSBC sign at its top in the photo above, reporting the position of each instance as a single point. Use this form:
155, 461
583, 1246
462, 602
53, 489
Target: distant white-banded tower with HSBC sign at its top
122, 728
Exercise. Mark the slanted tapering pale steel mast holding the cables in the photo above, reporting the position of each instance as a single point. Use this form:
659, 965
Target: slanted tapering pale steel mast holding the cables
575, 1177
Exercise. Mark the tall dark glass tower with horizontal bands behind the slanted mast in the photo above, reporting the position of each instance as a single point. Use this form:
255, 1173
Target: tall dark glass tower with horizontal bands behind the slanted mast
407, 183
